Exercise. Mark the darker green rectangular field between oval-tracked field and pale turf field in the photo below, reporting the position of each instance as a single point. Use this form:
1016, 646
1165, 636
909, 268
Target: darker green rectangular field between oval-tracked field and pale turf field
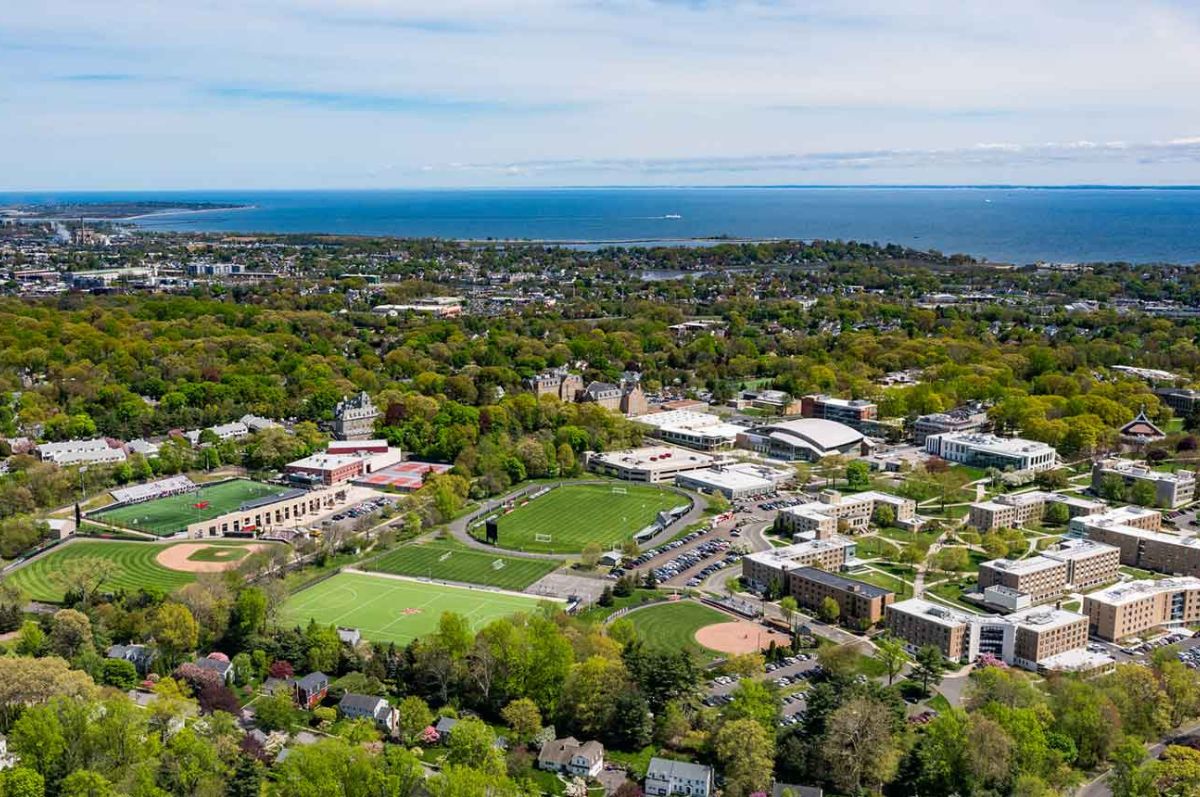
452, 561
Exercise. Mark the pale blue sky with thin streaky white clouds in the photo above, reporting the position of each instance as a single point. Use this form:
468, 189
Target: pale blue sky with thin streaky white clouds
379, 94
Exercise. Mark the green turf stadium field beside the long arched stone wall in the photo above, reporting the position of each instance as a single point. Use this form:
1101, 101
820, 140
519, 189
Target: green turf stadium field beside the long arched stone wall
165, 517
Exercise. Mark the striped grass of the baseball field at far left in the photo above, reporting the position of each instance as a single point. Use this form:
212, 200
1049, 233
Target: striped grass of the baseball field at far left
136, 560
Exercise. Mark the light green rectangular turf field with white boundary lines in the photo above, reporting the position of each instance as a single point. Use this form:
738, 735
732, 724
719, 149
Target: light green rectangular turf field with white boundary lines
397, 610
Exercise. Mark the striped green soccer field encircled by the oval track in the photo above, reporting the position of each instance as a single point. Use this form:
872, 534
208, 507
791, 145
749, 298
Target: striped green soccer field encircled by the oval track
577, 514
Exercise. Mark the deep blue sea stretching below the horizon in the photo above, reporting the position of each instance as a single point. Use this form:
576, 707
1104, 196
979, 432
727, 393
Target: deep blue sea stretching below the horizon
1006, 225
